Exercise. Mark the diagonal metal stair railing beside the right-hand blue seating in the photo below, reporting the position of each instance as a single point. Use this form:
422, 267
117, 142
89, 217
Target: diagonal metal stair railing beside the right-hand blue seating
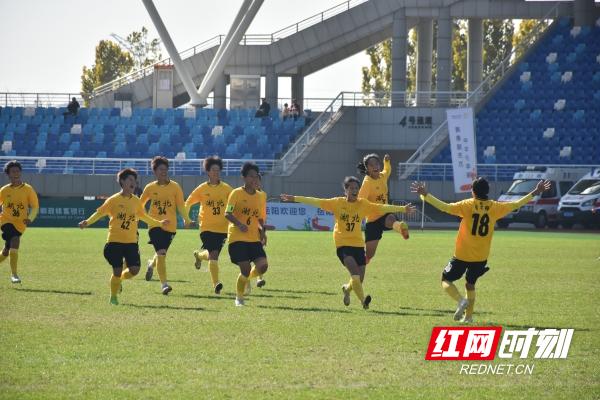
439, 135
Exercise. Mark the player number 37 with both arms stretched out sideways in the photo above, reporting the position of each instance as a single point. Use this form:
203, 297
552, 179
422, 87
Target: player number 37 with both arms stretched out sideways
349, 211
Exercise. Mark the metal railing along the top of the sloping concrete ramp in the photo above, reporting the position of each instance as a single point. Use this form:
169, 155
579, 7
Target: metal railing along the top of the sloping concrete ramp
247, 40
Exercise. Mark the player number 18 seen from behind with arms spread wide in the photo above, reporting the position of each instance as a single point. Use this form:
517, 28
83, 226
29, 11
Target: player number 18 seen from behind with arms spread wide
479, 215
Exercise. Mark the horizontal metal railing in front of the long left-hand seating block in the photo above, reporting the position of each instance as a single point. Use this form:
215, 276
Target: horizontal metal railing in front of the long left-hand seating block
110, 166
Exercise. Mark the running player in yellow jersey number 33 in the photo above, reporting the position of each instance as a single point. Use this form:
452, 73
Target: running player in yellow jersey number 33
212, 196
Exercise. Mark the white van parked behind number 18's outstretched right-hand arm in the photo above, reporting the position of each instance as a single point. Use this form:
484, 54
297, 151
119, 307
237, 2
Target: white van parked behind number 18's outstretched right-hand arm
543, 209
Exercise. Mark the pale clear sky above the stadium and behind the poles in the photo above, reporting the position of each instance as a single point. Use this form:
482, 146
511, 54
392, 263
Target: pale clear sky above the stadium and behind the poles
45, 44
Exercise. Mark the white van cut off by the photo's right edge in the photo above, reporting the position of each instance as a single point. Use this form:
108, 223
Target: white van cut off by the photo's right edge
576, 206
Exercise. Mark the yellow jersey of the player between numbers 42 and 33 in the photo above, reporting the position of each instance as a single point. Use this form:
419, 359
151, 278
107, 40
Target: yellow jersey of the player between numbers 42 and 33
165, 200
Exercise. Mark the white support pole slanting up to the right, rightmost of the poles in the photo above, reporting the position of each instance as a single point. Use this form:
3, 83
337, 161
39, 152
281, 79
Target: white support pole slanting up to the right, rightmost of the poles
229, 45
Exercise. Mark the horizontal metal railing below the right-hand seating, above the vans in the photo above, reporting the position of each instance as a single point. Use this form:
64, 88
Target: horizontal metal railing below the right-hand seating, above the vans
492, 172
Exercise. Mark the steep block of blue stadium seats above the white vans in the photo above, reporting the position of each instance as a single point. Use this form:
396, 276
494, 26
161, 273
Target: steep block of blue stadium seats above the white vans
547, 111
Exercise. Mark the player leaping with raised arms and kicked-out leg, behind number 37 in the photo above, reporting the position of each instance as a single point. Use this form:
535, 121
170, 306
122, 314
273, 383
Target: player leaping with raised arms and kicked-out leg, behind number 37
375, 189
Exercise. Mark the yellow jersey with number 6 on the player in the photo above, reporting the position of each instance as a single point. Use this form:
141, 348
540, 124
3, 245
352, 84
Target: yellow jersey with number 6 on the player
248, 209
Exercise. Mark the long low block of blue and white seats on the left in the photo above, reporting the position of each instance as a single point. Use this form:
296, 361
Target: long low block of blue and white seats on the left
101, 133
